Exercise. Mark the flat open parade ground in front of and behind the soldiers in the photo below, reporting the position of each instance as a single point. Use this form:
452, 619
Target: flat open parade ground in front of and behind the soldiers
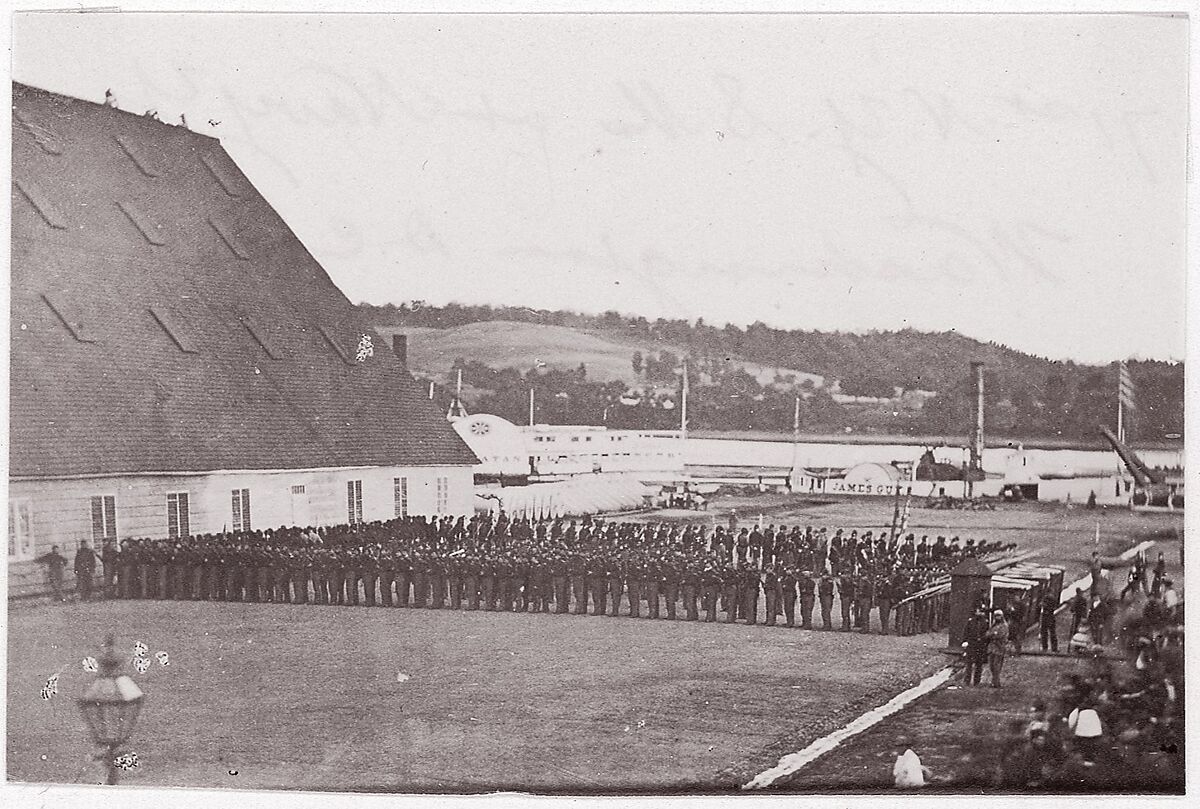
308, 697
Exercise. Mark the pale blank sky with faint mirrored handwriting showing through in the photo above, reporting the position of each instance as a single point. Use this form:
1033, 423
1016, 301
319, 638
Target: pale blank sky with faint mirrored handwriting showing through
1019, 178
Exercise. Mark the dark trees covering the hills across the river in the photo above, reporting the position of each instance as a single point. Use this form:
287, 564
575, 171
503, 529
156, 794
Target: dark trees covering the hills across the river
1028, 397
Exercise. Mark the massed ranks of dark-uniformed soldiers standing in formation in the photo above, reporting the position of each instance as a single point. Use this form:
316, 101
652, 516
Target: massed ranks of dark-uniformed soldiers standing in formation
557, 566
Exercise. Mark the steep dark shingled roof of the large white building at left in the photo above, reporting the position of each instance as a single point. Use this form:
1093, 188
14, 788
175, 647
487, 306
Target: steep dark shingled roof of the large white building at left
165, 319
